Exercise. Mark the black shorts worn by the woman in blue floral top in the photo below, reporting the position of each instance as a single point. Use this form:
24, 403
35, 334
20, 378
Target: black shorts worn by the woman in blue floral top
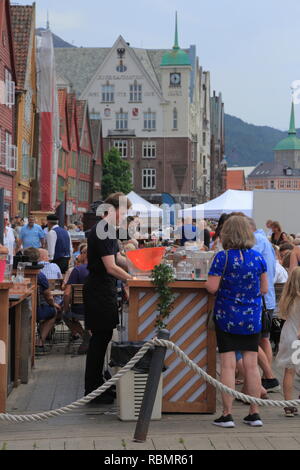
228, 342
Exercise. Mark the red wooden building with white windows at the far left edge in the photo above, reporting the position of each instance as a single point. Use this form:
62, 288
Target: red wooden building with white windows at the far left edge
8, 149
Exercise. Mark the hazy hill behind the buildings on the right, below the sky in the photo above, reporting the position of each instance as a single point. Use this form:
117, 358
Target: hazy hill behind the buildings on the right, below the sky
247, 144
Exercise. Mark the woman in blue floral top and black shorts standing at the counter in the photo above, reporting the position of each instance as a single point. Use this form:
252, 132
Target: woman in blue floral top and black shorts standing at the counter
238, 276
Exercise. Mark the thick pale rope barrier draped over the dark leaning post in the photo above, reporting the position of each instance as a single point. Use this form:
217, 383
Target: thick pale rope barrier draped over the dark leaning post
155, 342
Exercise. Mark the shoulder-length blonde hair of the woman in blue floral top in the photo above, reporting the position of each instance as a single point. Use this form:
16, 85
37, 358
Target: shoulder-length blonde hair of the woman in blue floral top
236, 234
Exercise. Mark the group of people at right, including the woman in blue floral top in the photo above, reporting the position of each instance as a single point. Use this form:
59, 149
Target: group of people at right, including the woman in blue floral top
243, 275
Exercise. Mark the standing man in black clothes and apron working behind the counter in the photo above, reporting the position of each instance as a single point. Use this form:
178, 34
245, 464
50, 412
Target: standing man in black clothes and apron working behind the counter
105, 265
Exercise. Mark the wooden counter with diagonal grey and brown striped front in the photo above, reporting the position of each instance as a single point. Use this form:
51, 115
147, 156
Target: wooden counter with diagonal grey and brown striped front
183, 390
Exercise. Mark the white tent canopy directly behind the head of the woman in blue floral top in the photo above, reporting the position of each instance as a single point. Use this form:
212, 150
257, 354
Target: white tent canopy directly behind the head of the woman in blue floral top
230, 201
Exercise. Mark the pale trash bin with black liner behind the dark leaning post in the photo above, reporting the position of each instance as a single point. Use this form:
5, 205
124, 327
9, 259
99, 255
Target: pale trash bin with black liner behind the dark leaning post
131, 387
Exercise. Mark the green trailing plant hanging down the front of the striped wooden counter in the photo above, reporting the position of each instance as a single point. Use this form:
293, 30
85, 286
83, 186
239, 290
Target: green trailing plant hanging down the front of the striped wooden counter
162, 276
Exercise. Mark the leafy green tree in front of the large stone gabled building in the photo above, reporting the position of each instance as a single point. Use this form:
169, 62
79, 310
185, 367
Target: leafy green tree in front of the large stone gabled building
116, 174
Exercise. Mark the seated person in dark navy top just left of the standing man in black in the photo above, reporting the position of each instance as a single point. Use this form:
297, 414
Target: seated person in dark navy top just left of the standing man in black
73, 314
